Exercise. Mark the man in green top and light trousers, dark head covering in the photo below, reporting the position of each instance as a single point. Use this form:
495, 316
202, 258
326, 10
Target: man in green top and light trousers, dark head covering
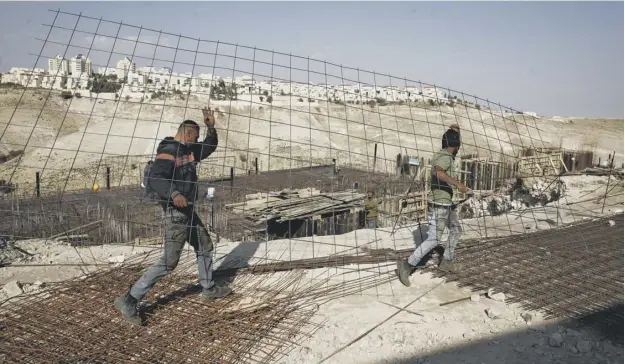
442, 210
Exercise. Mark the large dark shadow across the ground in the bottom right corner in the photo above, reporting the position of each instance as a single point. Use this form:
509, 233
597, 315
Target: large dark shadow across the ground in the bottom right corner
593, 339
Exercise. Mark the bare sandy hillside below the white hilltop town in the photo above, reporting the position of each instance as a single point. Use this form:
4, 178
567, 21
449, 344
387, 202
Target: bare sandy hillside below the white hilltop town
84, 133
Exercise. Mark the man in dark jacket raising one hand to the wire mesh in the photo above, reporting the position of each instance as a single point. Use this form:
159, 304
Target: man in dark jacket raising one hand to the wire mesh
173, 182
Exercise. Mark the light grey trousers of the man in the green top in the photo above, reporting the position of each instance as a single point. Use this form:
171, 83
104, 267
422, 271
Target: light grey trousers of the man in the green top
439, 218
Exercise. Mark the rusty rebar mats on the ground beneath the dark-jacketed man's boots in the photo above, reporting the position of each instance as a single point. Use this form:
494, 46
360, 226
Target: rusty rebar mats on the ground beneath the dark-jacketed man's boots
73, 322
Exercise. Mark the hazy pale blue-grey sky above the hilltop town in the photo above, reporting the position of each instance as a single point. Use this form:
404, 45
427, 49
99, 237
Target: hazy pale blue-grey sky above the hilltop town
555, 58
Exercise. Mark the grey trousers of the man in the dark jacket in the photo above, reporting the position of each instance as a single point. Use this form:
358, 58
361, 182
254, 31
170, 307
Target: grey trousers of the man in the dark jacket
180, 226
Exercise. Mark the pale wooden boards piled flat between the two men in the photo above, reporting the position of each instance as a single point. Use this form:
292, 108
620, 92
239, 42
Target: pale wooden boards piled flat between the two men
299, 204
